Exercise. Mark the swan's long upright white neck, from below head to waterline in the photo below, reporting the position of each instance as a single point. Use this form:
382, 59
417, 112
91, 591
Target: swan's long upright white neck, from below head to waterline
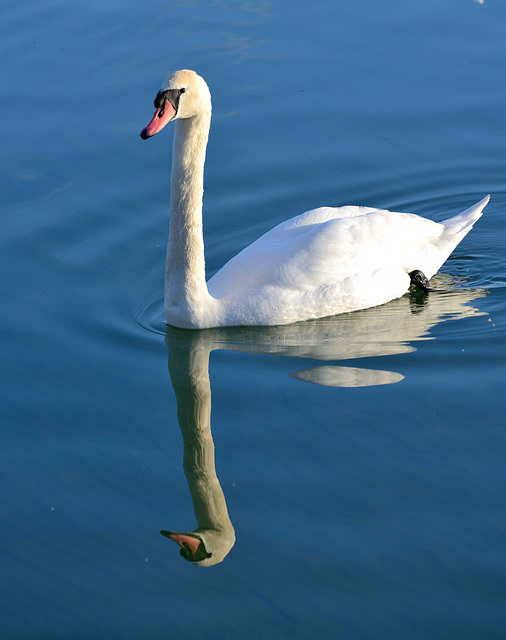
186, 293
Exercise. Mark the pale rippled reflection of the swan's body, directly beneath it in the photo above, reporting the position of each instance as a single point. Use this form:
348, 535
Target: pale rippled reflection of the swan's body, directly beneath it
387, 330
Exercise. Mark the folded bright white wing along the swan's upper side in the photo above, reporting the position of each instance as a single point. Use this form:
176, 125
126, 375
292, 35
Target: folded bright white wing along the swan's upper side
327, 246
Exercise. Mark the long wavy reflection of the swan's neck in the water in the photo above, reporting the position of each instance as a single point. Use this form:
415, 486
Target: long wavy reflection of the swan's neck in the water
190, 379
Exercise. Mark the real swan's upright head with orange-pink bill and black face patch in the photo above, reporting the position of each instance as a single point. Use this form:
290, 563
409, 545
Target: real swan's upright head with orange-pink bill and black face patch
183, 94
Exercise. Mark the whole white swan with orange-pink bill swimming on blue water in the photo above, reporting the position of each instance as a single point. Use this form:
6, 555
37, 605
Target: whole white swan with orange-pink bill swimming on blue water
321, 263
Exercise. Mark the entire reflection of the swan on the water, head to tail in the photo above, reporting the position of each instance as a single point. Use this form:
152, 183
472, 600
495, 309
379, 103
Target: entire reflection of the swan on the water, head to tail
381, 331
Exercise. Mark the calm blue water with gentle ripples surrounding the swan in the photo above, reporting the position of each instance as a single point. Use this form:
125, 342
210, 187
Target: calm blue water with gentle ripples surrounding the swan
371, 511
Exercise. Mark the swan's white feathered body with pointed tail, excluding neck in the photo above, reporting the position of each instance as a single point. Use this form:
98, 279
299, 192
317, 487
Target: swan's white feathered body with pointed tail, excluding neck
332, 260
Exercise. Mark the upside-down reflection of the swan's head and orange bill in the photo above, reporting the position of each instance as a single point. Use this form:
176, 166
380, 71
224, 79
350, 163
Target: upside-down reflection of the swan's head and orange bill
204, 547
